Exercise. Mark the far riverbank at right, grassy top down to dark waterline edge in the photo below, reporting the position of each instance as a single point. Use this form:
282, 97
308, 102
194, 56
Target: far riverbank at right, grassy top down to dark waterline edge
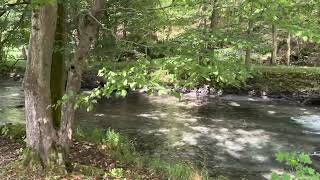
298, 84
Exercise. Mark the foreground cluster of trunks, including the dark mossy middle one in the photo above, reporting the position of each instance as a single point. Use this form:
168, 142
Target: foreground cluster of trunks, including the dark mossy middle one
49, 130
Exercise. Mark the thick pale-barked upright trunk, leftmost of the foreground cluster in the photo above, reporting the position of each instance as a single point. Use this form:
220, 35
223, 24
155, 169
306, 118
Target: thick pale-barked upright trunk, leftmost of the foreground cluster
41, 136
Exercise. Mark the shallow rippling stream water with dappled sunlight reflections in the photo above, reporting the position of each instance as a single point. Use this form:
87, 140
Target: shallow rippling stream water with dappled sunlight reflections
234, 136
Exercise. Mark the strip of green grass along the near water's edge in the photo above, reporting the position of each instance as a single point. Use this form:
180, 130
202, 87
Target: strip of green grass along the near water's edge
123, 150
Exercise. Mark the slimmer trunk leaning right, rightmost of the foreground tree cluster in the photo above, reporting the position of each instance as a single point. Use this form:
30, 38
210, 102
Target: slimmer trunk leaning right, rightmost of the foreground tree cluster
88, 29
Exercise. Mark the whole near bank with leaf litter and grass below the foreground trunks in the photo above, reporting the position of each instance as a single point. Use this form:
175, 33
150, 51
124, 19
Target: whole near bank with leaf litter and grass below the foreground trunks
98, 154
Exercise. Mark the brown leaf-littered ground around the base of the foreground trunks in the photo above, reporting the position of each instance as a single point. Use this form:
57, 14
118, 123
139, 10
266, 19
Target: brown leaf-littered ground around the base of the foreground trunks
89, 161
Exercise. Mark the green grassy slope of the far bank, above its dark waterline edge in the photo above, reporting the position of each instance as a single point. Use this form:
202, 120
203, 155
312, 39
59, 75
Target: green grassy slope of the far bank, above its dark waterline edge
291, 81
